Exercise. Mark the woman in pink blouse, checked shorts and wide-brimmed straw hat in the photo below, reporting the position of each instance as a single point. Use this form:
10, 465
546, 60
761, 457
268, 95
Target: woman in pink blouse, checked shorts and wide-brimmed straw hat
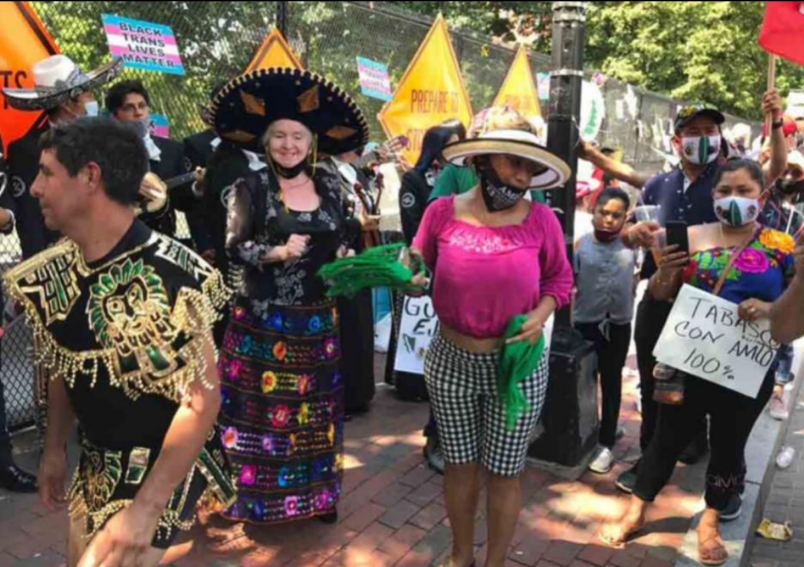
494, 255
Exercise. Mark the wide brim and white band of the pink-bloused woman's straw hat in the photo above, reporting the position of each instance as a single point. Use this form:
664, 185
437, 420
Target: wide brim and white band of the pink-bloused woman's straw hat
553, 173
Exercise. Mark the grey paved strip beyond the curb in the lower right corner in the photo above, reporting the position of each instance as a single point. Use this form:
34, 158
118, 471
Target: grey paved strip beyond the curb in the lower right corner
786, 502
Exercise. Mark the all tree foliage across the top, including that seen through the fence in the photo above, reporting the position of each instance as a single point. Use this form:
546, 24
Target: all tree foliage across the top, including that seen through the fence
703, 51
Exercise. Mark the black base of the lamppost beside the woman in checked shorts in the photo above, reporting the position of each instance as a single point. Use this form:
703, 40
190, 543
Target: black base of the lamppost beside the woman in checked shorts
570, 413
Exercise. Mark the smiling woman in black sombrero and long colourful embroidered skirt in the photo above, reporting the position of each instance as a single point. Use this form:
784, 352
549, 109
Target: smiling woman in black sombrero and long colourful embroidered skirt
282, 410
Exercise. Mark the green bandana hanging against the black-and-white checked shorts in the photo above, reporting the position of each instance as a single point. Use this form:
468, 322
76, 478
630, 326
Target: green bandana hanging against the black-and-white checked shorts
517, 362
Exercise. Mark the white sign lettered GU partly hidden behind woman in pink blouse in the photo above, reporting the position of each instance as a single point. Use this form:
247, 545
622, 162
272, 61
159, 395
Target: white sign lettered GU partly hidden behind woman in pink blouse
418, 326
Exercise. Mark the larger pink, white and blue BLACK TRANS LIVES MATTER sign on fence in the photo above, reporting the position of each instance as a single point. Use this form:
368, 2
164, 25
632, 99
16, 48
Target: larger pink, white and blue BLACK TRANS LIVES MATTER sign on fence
143, 45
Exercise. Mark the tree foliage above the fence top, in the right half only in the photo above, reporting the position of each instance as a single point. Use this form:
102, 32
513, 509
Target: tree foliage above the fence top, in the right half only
701, 51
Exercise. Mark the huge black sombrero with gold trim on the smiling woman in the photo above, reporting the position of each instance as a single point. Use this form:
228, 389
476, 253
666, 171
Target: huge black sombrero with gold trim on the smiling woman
244, 108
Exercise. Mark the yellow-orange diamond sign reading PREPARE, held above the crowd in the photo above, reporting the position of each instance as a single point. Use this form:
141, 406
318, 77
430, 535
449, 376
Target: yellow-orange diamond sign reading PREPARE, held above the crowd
430, 92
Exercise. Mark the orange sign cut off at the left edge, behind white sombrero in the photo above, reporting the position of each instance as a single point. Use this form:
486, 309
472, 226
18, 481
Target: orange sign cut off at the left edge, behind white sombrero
24, 41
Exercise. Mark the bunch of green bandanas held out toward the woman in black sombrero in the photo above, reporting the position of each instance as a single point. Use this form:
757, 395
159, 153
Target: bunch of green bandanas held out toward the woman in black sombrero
375, 267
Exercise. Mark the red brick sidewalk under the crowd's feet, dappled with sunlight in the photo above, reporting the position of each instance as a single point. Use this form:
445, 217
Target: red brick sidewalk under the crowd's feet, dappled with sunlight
392, 513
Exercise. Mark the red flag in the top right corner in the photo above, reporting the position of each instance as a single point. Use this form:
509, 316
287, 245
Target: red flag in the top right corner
783, 30
